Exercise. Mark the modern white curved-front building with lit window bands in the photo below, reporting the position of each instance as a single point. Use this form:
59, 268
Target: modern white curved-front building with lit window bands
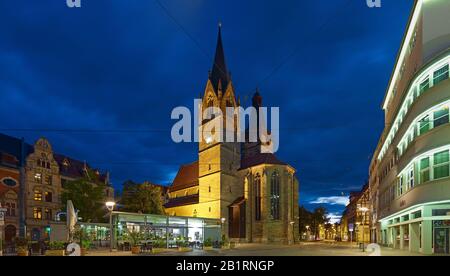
410, 171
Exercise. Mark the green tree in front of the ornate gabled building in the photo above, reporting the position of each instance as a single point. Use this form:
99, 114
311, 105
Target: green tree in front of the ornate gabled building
88, 197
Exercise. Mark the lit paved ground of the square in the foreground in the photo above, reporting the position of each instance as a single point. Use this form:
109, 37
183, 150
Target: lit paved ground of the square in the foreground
303, 249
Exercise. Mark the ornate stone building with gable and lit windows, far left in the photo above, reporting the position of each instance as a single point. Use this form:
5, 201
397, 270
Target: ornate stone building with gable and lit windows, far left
32, 179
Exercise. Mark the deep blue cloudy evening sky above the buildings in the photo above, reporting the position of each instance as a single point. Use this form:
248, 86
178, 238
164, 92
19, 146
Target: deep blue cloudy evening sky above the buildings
125, 64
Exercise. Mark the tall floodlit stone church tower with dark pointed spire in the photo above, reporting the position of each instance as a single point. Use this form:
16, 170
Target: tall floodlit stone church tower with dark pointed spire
218, 160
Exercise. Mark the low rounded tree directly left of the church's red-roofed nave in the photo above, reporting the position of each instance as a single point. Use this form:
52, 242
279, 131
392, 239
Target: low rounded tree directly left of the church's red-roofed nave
142, 198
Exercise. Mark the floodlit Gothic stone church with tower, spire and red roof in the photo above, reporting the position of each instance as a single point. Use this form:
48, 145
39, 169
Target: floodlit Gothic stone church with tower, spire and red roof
253, 194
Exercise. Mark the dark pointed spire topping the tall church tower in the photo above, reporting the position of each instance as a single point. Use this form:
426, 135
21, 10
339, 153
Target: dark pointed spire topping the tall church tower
219, 69
